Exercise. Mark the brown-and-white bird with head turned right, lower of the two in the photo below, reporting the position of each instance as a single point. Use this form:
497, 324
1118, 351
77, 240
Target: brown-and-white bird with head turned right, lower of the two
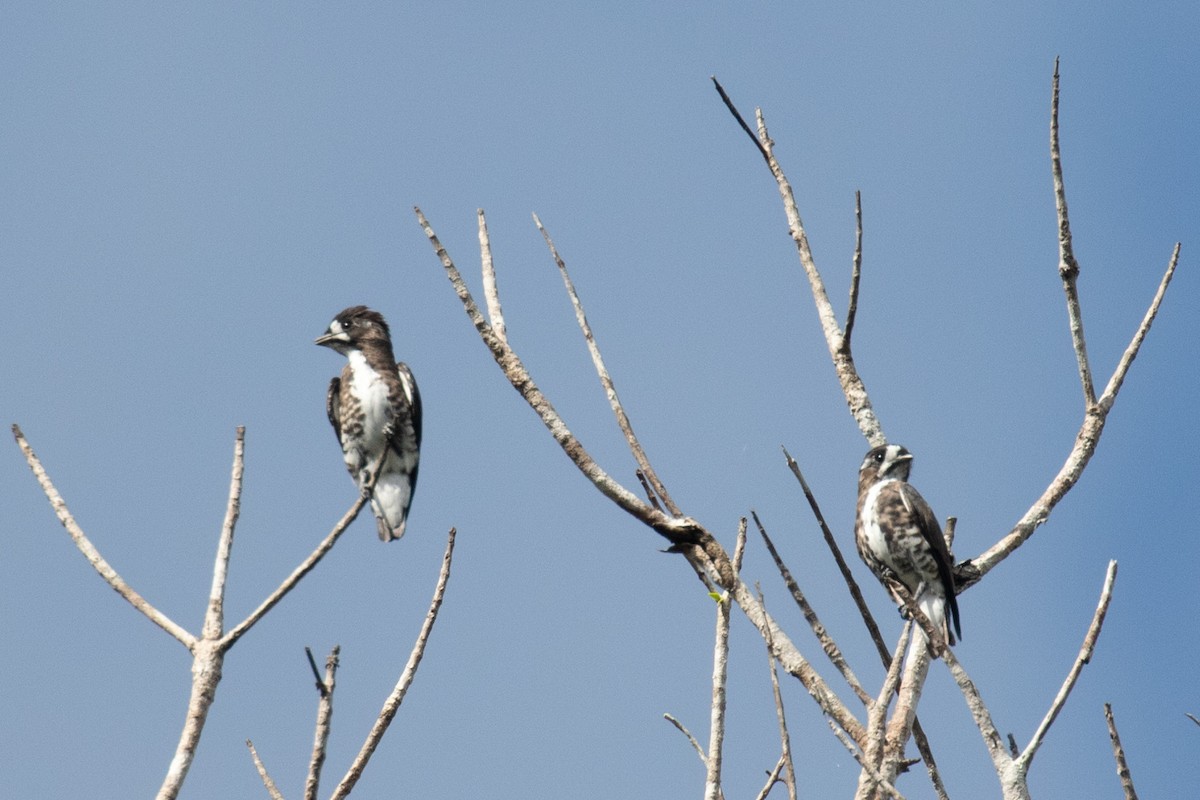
898, 537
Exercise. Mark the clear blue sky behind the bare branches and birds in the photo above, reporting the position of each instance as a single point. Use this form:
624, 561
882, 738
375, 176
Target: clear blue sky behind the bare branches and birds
193, 194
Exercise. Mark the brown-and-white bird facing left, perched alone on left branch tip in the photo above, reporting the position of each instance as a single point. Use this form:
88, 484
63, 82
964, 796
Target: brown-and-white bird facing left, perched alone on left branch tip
376, 413
